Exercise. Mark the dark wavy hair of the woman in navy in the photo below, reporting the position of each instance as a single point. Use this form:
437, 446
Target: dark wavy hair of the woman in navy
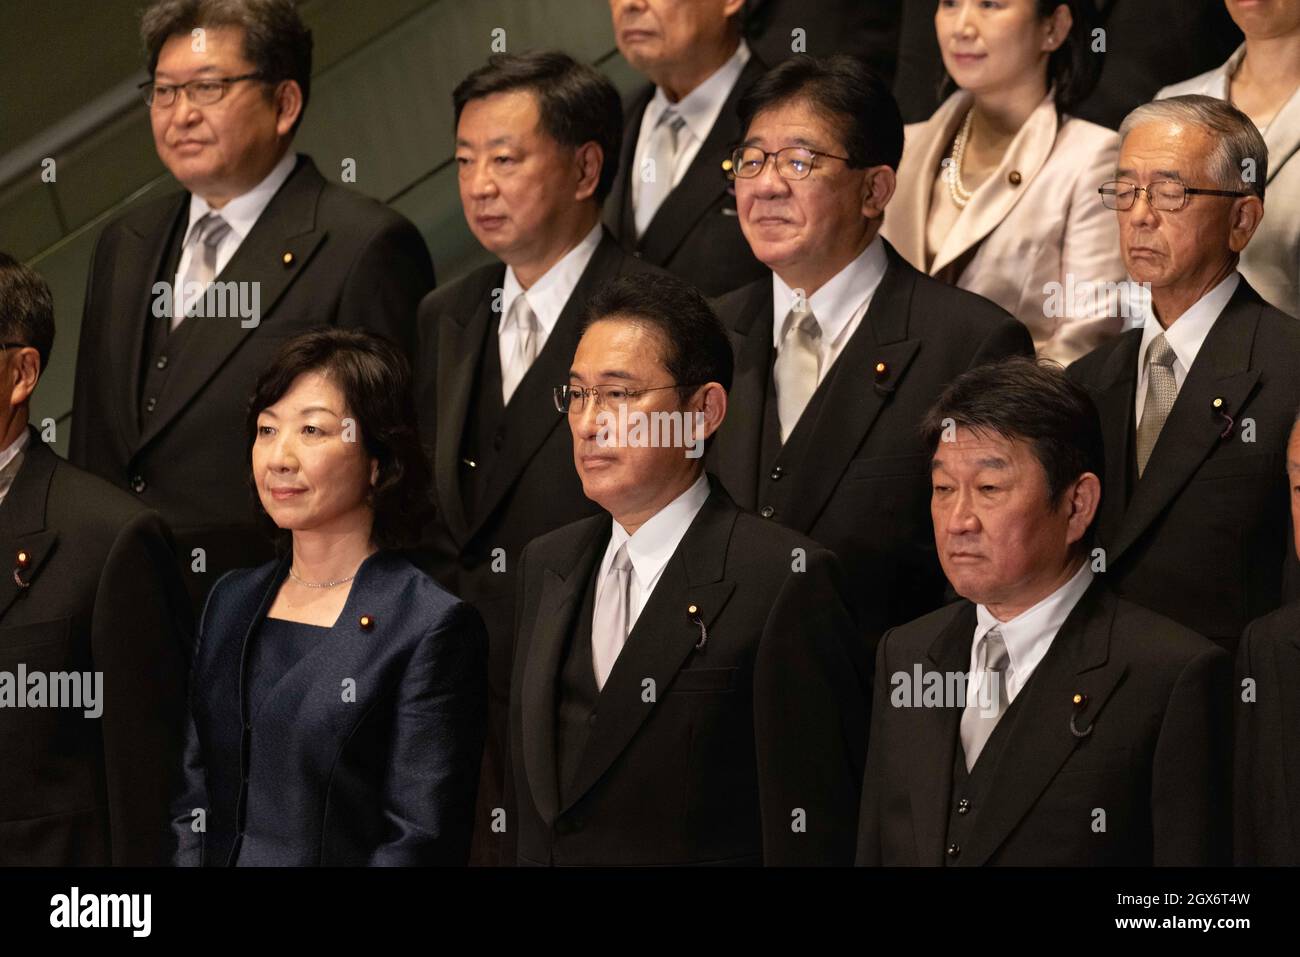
375, 380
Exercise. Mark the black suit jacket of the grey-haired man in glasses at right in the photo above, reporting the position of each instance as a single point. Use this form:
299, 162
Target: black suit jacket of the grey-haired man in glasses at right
1204, 538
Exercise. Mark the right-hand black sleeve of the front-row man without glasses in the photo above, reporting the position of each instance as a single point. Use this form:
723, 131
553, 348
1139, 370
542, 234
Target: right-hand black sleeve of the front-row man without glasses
1190, 800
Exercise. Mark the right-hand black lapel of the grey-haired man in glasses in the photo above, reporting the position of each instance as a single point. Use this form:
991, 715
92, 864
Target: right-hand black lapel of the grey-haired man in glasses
1223, 371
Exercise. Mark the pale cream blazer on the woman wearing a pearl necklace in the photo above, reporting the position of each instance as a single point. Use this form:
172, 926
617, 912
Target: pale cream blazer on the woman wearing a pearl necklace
1045, 246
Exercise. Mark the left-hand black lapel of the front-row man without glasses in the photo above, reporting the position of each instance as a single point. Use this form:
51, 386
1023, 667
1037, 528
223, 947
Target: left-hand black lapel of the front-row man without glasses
935, 741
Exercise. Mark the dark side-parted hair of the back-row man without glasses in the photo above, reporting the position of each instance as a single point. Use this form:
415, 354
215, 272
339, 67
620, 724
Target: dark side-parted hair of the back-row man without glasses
578, 103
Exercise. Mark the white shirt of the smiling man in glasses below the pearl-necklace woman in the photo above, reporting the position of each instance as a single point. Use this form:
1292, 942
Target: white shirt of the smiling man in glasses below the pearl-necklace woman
839, 306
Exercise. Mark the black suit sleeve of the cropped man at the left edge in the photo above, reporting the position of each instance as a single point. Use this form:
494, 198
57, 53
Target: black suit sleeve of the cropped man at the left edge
141, 640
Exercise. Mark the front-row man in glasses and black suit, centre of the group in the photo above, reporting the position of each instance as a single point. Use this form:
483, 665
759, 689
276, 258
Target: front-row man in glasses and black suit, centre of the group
683, 690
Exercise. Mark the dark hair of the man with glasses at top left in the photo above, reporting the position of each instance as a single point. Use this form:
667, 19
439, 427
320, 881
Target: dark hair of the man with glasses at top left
276, 41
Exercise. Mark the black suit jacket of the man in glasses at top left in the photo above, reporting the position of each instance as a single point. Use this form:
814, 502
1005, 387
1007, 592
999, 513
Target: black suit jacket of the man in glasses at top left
352, 262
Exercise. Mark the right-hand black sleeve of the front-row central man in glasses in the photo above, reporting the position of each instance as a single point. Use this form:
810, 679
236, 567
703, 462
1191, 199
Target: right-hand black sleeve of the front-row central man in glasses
811, 721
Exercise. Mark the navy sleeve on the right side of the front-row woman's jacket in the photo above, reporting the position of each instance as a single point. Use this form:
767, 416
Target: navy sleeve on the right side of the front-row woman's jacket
437, 746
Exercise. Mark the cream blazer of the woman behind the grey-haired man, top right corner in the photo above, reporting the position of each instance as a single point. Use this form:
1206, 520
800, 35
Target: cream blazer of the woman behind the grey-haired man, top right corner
1272, 261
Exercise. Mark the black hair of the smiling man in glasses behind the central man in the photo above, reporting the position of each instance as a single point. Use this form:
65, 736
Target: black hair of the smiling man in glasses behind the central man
847, 93
